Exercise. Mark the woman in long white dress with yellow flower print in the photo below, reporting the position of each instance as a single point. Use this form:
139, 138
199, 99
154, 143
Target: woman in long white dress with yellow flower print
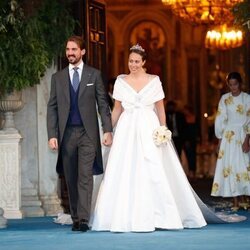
232, 128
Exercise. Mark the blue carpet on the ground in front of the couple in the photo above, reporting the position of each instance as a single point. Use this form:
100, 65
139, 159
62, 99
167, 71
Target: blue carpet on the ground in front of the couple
42, 233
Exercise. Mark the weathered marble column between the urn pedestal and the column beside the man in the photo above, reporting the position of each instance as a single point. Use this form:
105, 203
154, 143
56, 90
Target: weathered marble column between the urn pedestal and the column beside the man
26, 123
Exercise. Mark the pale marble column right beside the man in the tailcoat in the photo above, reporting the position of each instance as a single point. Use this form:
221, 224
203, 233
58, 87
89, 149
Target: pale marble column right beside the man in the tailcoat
48, 179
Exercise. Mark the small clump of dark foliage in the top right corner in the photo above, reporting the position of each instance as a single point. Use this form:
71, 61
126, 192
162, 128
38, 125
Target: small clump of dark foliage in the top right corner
241, 14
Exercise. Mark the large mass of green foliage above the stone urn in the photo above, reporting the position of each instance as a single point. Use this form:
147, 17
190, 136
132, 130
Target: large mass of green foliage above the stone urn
28, 44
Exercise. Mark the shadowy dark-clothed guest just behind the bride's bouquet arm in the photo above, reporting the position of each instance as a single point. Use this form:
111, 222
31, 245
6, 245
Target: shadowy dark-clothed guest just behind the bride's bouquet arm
176, 122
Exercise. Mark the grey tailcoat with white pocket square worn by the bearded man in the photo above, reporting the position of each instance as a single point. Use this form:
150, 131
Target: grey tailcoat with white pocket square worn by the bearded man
91, 93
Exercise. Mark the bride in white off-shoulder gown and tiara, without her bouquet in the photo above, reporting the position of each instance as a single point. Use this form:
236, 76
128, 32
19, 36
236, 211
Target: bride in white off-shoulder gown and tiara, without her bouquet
144, 185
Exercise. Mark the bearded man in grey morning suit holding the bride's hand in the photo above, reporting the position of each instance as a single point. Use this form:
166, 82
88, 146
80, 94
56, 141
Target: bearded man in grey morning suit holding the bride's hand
73, 130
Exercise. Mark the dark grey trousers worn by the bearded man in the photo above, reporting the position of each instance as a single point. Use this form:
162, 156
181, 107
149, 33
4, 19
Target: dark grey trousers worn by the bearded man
78, 155
